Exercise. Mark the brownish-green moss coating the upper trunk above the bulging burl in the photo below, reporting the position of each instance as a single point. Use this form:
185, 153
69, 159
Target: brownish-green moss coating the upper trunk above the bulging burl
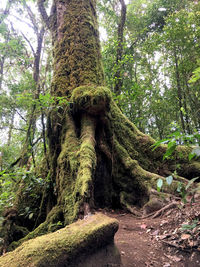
75, 37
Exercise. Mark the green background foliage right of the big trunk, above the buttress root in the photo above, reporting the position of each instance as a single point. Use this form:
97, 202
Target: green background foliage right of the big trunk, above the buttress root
155, 31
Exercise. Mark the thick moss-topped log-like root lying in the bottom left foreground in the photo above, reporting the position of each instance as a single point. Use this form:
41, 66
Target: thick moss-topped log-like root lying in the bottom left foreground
62, 247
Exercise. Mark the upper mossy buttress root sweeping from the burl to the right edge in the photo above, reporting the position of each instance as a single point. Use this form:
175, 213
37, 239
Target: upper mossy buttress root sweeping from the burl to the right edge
139, 147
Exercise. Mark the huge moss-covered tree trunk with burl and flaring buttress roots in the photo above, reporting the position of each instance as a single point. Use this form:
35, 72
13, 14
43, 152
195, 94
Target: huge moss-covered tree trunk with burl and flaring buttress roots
98, 158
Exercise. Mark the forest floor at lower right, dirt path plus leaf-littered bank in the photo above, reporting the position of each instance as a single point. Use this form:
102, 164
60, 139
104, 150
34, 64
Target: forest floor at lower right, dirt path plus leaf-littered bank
170, 240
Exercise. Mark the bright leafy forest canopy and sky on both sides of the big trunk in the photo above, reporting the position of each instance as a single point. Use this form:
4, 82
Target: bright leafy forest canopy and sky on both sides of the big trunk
159, 69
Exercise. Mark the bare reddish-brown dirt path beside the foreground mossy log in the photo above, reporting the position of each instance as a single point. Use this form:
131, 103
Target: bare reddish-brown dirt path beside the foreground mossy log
139, 244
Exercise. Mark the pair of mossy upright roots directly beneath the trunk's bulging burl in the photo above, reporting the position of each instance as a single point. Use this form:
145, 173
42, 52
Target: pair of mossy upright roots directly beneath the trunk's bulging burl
76, 164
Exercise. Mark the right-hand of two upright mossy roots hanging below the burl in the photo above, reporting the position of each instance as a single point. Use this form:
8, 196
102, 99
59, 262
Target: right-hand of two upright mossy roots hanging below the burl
87, 160
